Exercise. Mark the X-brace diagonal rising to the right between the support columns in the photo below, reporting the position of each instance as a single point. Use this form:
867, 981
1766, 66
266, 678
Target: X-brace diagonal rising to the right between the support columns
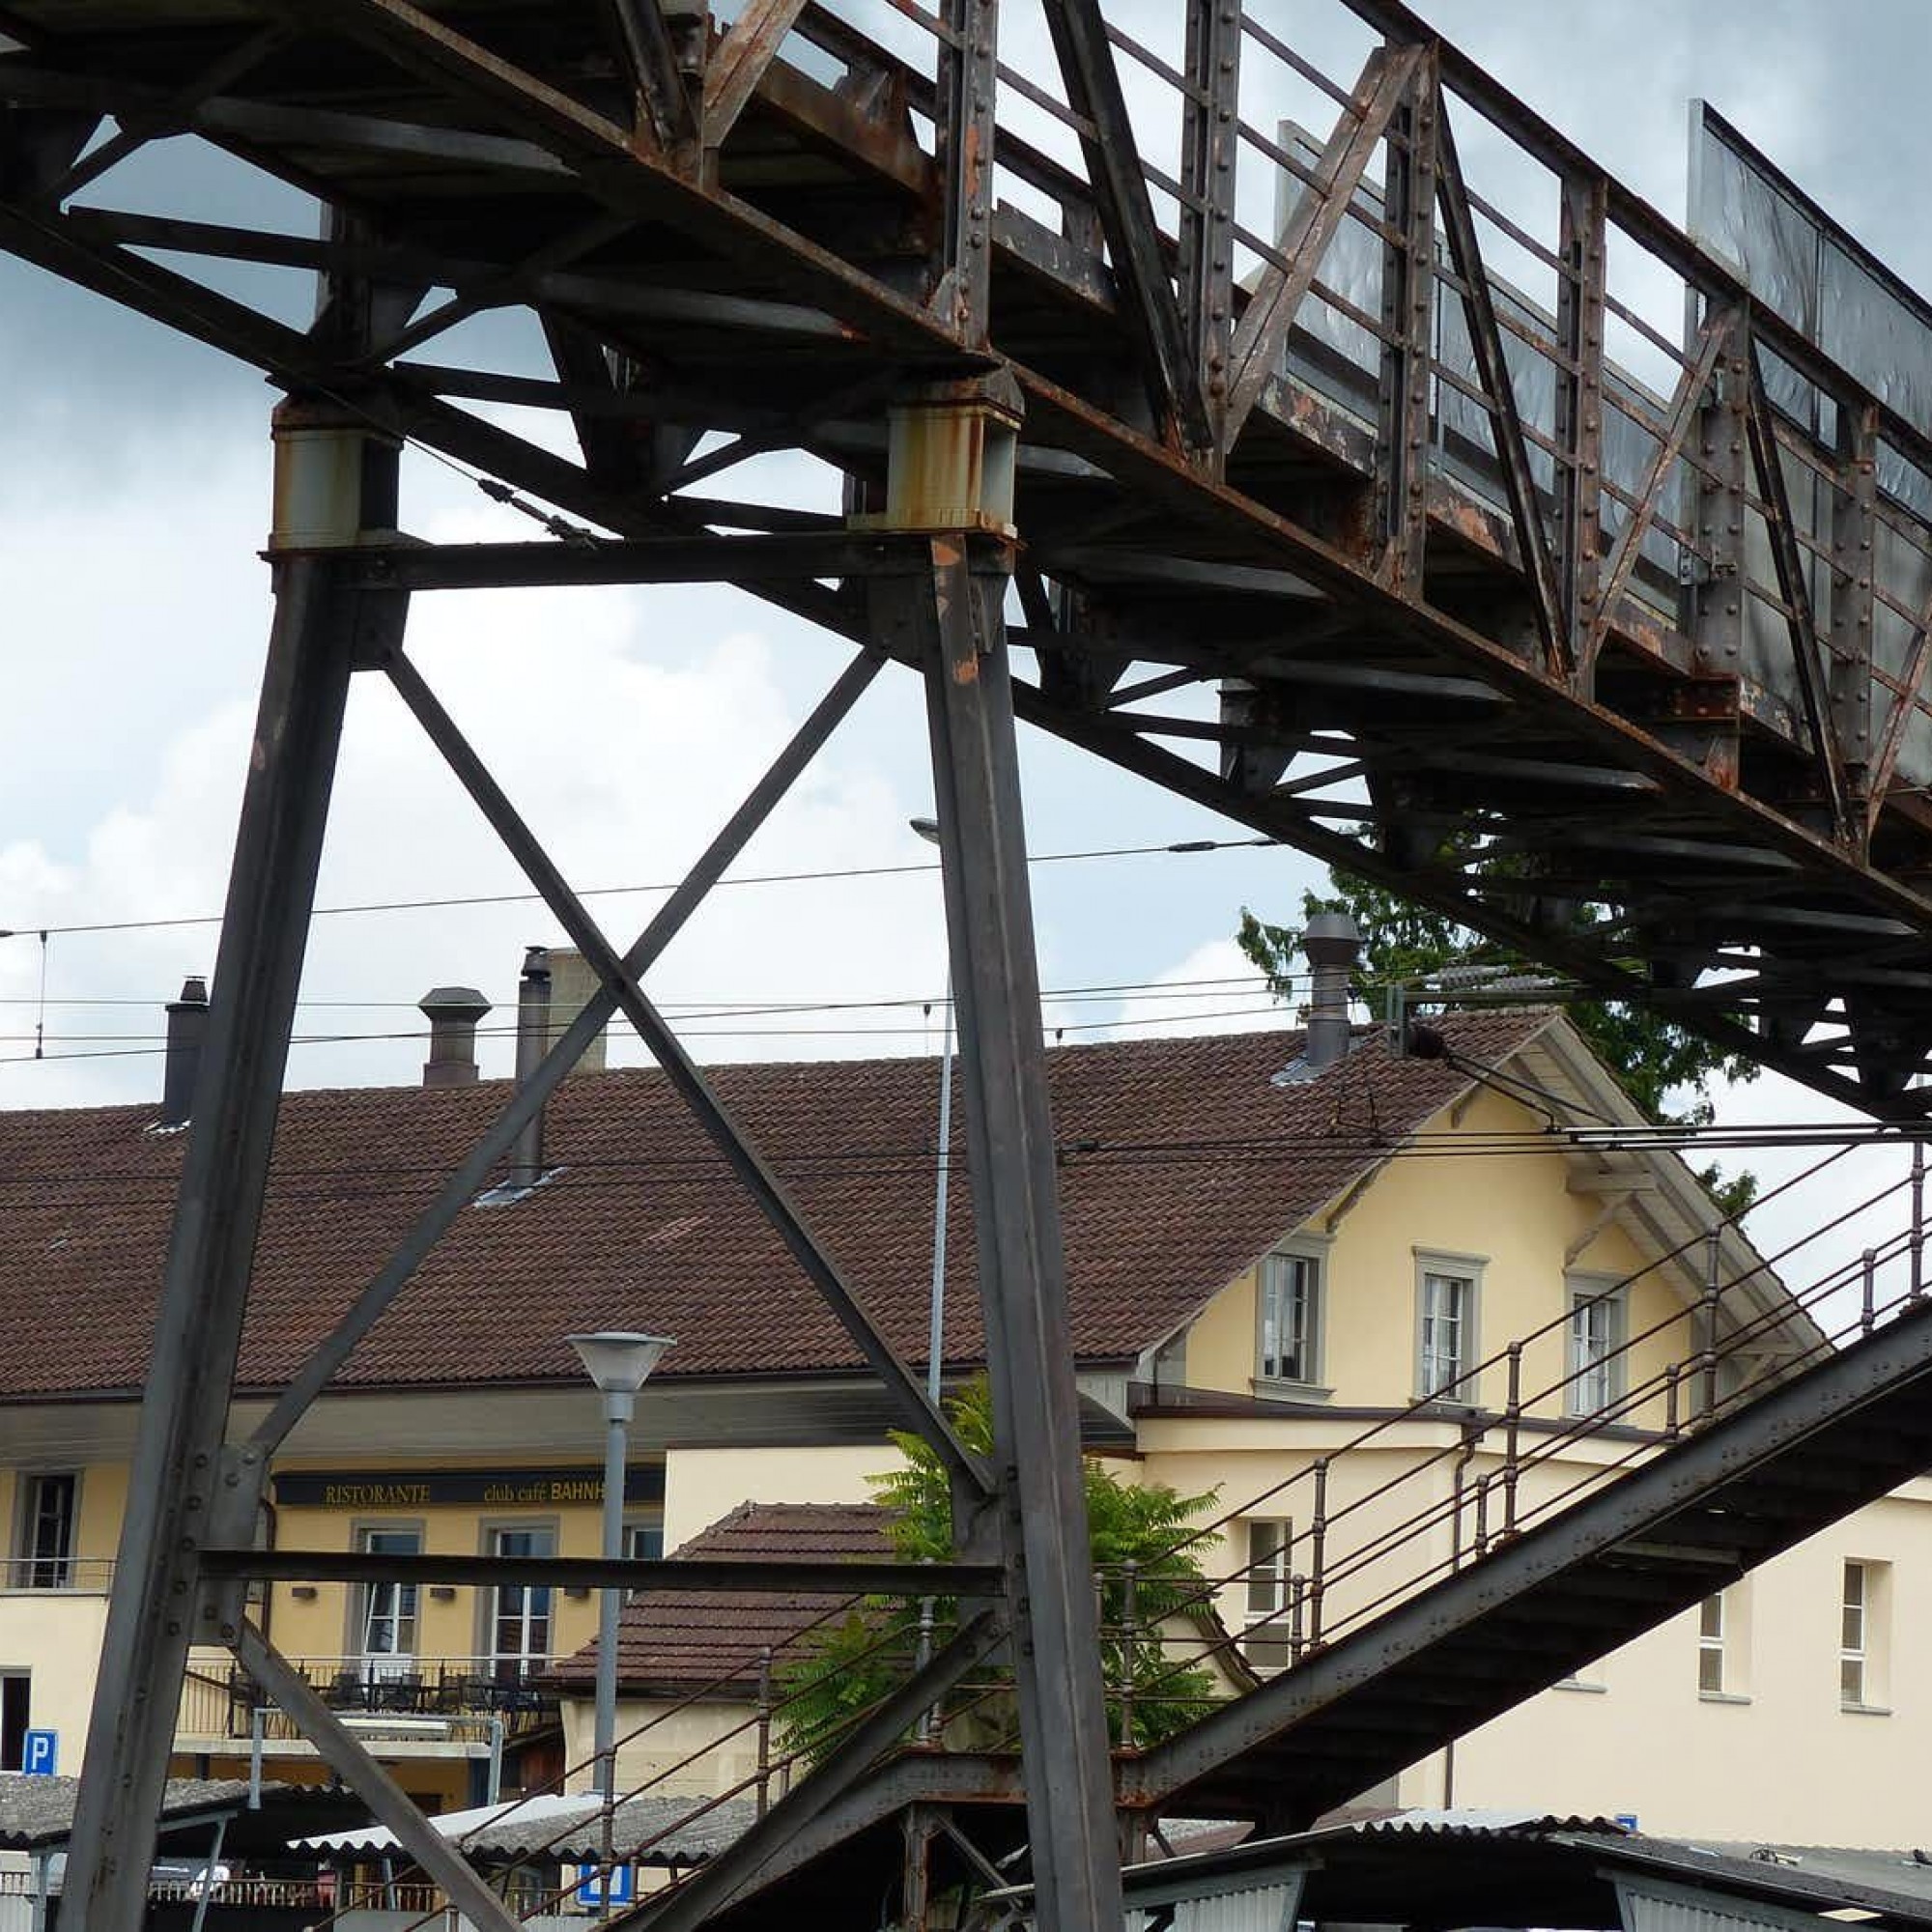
472, 1174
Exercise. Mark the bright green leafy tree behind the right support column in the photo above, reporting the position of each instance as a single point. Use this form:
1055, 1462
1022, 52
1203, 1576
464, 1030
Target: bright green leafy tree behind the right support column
849, 1666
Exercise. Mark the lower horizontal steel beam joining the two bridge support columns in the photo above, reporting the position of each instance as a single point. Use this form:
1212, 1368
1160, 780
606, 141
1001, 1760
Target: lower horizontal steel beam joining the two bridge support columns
828, 1577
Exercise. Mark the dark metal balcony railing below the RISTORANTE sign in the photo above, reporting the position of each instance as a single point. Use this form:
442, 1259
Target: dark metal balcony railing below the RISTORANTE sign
457, 1699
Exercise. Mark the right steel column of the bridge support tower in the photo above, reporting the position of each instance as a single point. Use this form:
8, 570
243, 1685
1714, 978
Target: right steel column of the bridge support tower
1023, 1282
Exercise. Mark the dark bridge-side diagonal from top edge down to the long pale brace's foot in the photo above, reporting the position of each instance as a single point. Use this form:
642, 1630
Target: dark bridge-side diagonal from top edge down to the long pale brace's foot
1147, 293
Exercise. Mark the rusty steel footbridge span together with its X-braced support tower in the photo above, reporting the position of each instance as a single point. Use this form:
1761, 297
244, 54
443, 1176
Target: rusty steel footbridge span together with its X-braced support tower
1601, 635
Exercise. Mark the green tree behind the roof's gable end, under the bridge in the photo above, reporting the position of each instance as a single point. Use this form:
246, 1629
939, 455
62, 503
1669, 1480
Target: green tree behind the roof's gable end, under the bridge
1664, 1067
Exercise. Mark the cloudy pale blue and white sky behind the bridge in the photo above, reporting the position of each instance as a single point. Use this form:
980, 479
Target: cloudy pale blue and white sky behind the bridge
134, 480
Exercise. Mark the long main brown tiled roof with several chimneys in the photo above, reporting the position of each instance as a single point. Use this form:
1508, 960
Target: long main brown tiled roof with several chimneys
1179, 1164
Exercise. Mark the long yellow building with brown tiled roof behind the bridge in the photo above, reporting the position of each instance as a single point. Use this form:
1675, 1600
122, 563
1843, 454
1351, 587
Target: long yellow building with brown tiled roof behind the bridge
1268, 1263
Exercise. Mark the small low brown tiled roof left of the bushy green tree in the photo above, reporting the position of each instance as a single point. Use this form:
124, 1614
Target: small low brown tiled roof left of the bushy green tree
691, 1639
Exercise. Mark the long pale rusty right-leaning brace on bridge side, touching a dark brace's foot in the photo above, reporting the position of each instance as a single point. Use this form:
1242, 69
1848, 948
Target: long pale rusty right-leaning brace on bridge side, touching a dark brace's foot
1313, 227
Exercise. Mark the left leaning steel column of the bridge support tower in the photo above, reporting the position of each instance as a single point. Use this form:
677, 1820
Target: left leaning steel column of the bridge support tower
157, 1610
